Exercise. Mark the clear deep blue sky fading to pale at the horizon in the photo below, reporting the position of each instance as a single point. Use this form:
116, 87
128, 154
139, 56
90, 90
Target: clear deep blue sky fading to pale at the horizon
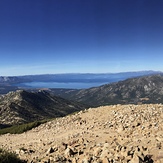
80, 36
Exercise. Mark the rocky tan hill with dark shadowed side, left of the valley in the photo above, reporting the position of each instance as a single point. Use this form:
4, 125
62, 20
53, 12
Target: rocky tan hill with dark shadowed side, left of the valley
22, 106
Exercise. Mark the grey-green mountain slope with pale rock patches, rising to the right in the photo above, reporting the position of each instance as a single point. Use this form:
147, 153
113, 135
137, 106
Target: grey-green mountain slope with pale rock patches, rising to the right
146, 89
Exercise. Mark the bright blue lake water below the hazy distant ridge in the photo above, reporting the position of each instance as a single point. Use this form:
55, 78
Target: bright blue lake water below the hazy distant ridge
71, 85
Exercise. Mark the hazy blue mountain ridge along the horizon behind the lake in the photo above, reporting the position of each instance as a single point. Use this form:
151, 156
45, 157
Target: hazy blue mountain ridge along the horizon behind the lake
73, 76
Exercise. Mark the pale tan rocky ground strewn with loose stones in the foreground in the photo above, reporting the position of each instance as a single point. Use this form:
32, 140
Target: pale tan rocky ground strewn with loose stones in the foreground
110, 134
